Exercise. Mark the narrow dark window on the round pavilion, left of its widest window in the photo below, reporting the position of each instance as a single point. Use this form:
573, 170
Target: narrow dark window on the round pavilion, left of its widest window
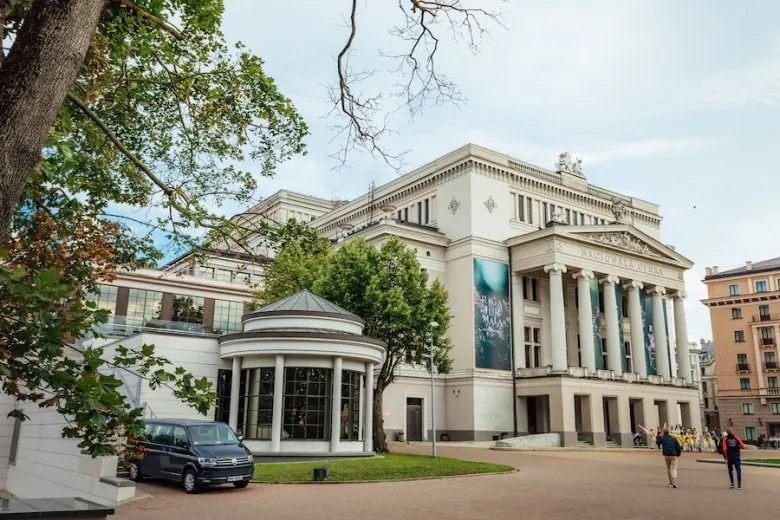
257, 394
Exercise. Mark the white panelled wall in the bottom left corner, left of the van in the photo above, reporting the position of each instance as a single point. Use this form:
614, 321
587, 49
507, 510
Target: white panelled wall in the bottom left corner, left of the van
48, 466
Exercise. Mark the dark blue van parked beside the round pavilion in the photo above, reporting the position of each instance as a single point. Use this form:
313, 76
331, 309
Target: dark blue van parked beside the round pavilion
196, 453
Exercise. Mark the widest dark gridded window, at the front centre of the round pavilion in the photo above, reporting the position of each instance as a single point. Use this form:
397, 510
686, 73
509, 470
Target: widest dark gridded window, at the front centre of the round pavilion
307, 403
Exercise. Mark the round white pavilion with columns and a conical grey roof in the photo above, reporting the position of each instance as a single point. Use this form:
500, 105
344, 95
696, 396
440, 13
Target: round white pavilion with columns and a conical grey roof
297, 378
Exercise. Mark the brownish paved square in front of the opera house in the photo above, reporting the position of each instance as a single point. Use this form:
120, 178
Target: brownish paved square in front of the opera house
549, 485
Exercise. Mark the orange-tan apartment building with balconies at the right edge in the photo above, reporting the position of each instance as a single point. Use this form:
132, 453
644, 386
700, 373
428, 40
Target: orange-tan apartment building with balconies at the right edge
744, 305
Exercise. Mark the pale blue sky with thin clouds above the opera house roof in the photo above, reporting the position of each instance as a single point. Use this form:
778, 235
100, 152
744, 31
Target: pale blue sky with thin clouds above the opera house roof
673, 102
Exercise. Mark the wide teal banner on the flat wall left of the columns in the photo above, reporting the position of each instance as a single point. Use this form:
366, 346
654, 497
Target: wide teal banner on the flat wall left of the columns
491, 315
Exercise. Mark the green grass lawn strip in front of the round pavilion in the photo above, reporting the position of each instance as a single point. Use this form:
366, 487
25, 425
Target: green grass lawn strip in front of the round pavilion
389, 467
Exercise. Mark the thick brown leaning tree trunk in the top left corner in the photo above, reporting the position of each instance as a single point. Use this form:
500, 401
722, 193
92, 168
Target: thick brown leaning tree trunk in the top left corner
35, 77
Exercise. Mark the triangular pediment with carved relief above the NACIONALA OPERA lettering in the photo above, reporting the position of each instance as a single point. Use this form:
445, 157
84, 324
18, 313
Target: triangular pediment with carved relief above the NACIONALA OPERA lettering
629, 239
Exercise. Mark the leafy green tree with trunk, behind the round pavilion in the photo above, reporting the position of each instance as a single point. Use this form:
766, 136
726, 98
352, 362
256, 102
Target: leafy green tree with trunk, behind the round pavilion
387, 288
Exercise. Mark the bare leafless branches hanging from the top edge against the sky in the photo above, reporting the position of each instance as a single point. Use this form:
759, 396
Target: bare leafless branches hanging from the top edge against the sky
366, 117
